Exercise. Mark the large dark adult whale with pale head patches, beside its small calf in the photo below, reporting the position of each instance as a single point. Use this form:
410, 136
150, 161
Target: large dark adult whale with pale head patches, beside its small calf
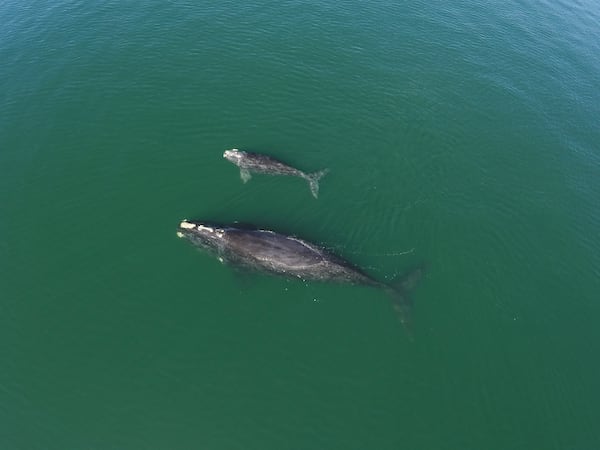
279, 254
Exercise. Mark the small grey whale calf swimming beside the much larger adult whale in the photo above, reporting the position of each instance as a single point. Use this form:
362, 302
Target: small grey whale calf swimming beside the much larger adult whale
255, 162
